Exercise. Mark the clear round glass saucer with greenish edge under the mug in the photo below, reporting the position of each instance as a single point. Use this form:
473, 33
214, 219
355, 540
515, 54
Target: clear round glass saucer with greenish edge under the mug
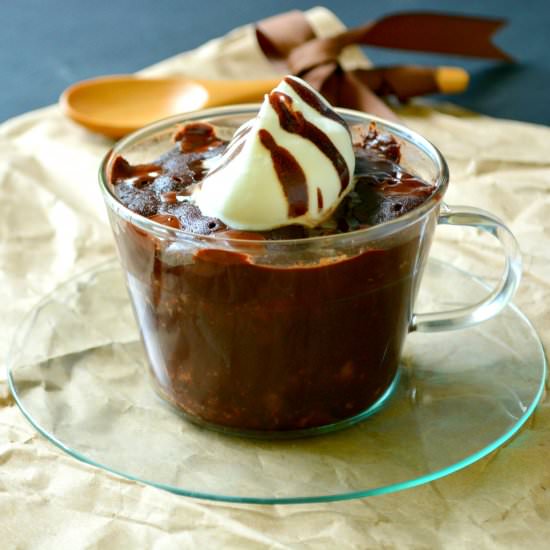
78, 372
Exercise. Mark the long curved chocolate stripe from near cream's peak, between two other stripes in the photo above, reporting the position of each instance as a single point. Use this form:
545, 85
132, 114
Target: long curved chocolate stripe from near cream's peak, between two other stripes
294, 122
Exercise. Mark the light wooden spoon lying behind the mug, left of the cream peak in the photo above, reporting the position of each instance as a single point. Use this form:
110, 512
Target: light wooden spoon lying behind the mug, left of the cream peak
117, 105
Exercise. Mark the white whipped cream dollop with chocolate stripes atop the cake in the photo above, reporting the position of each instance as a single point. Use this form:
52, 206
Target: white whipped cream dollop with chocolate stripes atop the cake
292, 164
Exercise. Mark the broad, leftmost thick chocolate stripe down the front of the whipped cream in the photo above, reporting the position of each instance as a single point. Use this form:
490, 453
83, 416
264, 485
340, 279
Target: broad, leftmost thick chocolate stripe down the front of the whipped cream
290, 174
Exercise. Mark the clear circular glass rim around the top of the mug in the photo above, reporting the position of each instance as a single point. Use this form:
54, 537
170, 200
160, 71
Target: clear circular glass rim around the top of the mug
370, 233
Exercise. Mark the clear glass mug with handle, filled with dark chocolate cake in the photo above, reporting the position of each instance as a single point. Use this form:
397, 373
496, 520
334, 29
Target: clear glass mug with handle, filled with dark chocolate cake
289, 337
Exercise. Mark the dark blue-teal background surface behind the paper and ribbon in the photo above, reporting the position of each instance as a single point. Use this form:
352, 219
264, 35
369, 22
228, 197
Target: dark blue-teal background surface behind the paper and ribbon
45, 45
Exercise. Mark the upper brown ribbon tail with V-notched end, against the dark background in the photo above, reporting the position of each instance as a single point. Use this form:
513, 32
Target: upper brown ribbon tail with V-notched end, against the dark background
437, 33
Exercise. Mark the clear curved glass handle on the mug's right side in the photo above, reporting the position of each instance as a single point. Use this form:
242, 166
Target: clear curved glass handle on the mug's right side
499, 297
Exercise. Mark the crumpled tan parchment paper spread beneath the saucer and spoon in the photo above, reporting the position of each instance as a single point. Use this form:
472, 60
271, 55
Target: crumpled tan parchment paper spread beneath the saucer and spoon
53, 225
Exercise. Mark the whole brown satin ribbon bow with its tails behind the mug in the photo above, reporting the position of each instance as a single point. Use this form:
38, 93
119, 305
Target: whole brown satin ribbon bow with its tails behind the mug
289, 42
